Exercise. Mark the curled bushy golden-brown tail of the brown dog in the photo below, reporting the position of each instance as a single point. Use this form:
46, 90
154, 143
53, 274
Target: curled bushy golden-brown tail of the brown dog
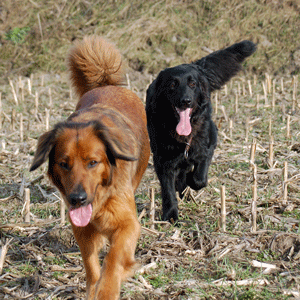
94, 62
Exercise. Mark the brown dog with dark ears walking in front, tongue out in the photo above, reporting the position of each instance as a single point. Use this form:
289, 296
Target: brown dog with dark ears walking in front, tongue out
96, 160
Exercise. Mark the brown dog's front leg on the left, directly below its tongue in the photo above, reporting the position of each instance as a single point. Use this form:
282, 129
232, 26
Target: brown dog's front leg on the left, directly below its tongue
90, 242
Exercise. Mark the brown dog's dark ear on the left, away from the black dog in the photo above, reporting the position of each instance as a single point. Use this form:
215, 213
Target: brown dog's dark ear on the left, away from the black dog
45, 145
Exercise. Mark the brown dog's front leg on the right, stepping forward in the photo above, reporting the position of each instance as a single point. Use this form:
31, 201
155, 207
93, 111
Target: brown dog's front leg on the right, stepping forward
119, 262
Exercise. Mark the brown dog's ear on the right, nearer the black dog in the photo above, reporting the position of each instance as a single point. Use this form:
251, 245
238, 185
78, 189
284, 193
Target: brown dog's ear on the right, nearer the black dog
119, 142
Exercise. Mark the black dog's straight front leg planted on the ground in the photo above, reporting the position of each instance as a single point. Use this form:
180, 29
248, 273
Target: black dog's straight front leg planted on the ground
166, 177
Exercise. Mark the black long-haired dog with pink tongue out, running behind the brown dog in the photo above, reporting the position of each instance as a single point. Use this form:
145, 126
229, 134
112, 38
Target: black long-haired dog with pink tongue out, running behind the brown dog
182, 135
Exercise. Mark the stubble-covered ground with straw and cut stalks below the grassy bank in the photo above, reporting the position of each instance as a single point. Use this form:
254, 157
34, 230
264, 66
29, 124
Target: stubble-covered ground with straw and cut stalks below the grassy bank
194, 260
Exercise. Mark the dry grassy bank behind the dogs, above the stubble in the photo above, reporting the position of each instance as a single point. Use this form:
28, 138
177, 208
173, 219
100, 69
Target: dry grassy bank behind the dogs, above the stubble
151, 35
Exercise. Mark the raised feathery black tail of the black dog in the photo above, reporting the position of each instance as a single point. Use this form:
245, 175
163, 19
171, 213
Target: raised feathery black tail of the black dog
220, 66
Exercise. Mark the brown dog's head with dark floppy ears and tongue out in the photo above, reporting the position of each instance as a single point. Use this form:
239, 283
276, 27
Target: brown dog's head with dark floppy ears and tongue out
81, 160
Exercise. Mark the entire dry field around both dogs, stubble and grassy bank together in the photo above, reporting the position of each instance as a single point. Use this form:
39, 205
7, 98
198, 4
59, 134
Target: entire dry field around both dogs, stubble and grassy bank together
197, 258
